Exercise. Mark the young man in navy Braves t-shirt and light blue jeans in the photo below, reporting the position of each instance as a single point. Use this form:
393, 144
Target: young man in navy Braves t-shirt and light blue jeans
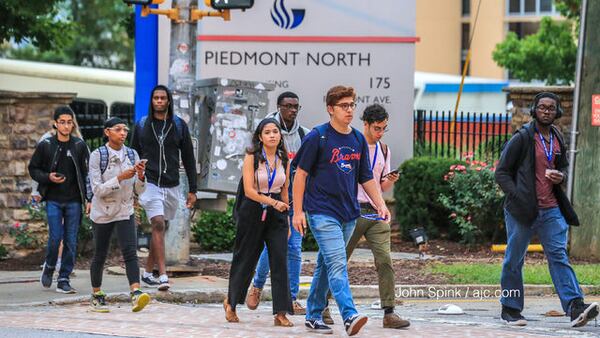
335, 158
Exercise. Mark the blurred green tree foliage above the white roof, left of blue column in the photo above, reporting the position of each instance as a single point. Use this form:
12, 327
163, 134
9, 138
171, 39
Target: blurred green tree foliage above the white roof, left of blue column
102, 37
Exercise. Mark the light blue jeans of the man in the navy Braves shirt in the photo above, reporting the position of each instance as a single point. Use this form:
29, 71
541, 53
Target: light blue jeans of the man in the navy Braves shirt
331, 271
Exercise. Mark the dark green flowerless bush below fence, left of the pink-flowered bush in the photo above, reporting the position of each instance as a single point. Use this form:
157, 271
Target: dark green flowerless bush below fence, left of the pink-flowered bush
416, 194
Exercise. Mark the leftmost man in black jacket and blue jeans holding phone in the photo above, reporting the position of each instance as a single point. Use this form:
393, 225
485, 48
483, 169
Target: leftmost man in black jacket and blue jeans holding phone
60, 166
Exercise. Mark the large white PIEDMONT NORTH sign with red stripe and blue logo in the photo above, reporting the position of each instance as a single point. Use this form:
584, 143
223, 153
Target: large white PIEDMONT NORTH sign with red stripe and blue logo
309, 46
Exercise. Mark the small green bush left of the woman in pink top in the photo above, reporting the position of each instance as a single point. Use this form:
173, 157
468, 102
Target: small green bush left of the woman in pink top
215, 231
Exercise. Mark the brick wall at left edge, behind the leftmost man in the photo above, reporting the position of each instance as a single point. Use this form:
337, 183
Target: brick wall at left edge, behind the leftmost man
24, 118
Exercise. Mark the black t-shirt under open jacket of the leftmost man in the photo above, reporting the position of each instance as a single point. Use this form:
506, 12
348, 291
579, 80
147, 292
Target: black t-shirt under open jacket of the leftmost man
68, 191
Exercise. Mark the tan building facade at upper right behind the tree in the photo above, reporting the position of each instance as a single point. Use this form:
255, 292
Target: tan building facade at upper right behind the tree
445, 26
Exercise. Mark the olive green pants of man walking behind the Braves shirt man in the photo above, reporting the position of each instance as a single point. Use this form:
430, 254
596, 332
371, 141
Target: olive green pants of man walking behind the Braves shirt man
377, 234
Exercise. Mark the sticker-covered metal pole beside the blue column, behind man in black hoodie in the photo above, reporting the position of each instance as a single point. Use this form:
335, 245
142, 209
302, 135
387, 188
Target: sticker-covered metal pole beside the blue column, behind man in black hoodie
181, 80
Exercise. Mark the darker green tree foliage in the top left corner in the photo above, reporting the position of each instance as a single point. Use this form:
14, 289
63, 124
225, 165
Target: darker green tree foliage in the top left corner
39, 23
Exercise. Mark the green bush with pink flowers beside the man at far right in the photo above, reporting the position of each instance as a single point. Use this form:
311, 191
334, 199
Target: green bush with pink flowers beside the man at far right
474, 201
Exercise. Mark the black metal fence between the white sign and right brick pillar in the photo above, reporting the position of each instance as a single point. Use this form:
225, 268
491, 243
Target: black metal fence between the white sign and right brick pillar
477, 135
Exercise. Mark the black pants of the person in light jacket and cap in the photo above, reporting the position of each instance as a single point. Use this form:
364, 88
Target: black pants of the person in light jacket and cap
127, 237
